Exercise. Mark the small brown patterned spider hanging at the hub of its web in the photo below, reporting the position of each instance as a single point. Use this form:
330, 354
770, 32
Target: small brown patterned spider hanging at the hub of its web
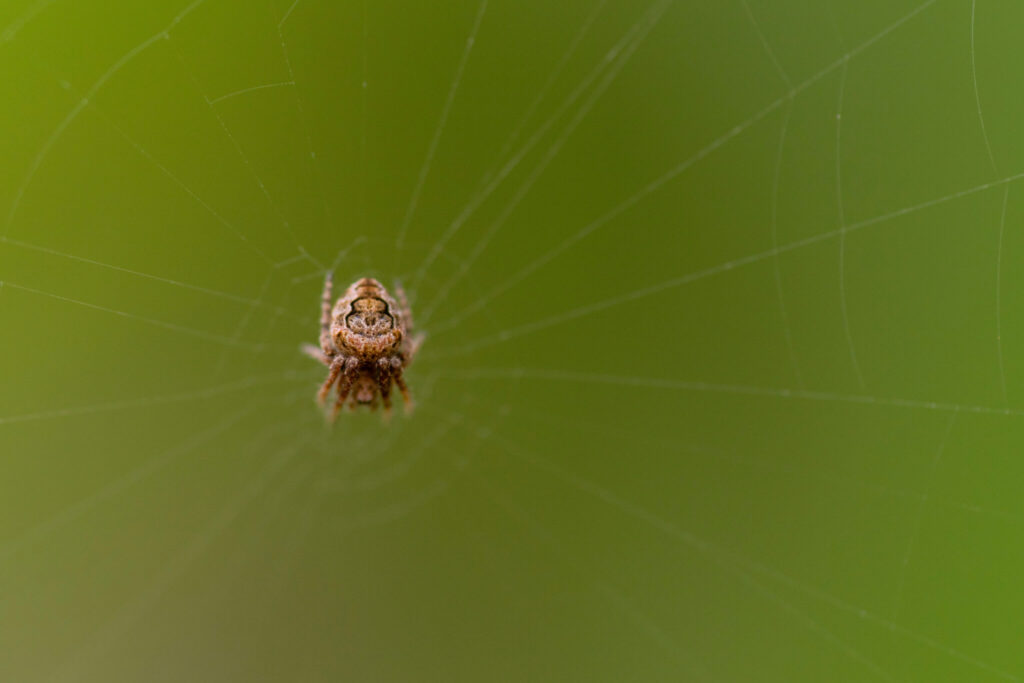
367, 343
